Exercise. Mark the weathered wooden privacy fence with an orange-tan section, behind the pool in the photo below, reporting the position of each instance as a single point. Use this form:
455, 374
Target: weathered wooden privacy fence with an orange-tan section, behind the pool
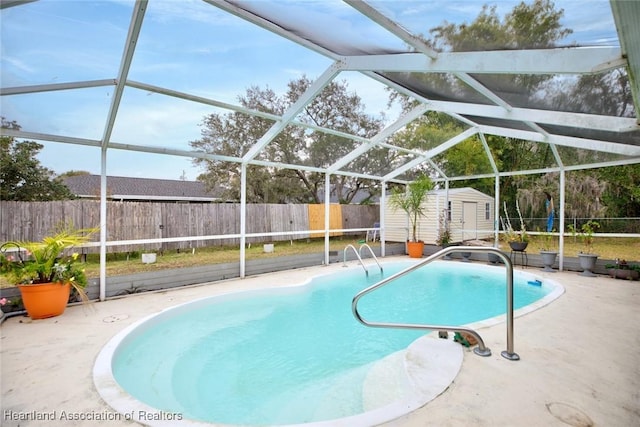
32, 221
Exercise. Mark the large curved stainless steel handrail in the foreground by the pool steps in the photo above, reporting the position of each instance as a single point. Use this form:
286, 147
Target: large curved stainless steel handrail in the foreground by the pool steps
481, 349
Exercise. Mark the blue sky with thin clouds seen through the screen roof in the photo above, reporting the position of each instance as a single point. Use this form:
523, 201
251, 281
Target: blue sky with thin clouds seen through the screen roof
193, 47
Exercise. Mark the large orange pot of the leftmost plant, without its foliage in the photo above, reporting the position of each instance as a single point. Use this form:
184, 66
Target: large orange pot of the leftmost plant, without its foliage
45, 299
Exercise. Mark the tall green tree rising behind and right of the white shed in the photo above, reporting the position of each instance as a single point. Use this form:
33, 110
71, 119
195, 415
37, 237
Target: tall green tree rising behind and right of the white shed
528, 26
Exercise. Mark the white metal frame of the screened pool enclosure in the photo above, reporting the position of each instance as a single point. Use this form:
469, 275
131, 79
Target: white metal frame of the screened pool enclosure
485, 109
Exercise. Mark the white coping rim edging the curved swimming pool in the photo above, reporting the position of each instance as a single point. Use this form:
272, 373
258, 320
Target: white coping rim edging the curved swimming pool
425, 351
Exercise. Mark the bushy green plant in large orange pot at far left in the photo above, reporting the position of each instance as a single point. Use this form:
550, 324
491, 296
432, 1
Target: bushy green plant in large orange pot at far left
45, 271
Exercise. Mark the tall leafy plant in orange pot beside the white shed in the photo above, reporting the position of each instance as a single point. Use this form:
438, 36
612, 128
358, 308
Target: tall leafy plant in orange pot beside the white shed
411, 201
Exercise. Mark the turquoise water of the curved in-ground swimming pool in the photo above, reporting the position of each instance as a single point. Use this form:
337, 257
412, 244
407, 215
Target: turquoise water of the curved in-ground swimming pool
296, 354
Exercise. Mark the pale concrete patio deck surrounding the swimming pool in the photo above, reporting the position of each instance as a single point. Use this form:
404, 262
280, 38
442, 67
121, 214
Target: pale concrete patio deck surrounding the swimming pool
580, 360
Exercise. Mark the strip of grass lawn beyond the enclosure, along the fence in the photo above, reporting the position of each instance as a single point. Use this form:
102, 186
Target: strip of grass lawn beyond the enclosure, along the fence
122, 263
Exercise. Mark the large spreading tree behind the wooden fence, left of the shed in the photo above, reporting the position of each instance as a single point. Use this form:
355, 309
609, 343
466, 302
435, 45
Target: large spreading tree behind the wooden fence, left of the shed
234, 134
